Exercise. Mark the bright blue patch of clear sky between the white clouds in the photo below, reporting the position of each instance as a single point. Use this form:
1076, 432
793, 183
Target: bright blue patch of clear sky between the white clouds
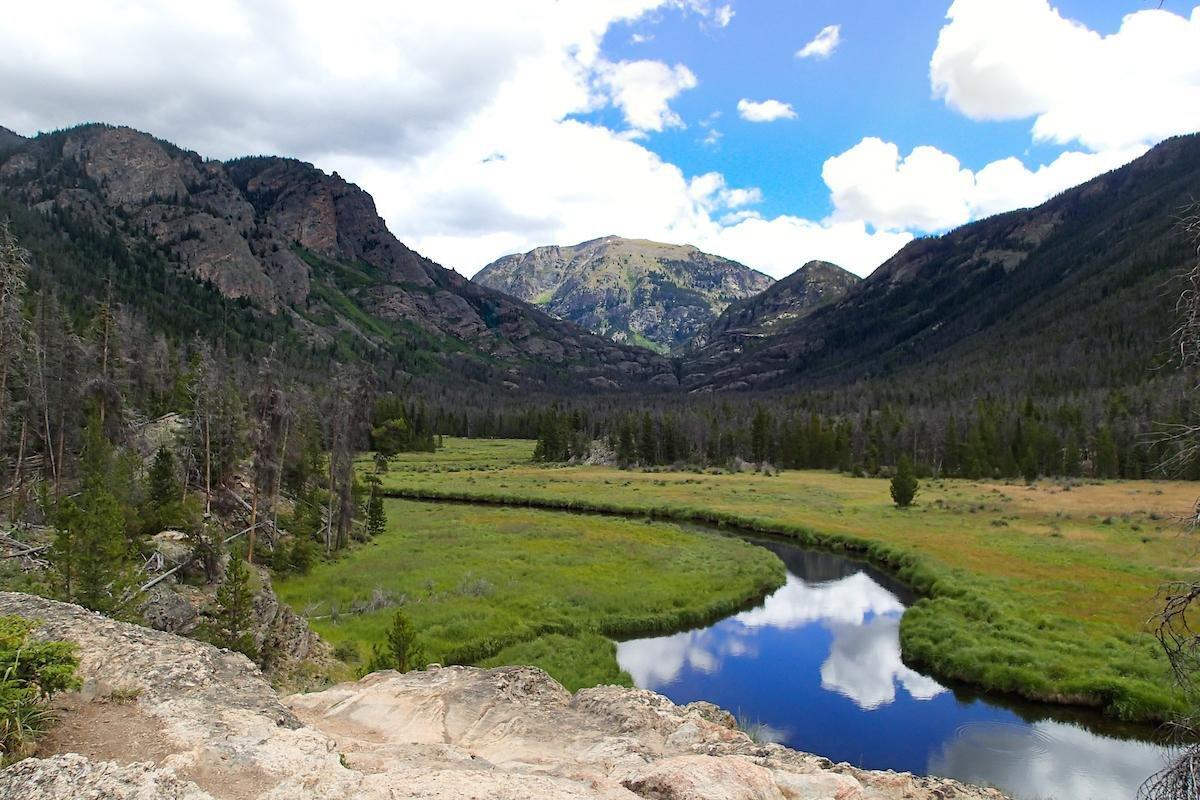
877, 83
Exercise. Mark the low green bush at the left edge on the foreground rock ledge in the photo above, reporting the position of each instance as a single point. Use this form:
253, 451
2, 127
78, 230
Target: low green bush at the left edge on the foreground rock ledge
31, 675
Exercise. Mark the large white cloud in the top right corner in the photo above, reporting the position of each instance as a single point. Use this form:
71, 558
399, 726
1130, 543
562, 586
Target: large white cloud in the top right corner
1023, 59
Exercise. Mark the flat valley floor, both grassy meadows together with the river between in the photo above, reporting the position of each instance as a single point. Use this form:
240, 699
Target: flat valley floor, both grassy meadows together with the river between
979, 564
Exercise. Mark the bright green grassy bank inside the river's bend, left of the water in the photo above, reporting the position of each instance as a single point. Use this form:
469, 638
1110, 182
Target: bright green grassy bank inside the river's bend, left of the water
518, 586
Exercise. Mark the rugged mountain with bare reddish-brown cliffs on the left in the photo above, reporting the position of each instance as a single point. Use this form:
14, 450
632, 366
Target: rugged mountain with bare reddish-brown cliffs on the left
275, 254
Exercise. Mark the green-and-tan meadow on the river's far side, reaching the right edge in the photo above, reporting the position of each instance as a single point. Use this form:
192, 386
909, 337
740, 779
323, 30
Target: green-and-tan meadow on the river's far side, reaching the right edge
1040, 592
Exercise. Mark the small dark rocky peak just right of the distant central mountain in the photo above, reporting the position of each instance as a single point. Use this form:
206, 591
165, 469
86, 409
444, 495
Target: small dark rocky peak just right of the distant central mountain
815, 285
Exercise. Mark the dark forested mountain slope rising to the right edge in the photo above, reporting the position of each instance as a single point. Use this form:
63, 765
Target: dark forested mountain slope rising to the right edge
1069, 297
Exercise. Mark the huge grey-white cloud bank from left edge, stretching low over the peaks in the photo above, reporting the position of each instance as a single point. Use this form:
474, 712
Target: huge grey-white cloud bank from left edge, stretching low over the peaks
461, 122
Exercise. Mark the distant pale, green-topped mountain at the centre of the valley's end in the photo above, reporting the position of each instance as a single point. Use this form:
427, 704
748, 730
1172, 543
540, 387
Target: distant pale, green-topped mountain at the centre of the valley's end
628, 290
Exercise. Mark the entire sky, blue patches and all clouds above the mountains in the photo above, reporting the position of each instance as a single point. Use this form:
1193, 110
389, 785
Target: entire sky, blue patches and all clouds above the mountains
772, 133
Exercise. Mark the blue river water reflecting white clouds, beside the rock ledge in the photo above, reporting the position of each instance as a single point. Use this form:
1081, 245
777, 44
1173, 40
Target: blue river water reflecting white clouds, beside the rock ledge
818, 667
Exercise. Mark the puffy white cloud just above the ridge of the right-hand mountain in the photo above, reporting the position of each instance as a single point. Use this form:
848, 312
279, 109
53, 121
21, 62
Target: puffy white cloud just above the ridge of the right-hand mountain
931, 191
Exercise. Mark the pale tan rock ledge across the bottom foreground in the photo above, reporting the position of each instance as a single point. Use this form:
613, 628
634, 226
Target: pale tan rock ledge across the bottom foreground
455, 732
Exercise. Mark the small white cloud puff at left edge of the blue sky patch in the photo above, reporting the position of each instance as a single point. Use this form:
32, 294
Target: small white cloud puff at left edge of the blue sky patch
645, 89
